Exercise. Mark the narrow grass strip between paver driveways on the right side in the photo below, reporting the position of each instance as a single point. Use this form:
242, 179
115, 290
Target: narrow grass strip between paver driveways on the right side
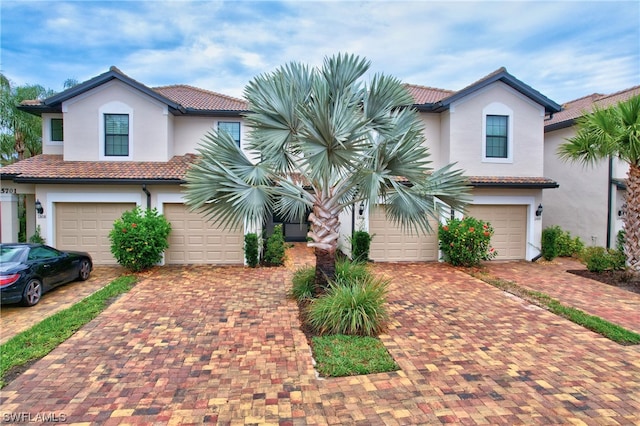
596, 324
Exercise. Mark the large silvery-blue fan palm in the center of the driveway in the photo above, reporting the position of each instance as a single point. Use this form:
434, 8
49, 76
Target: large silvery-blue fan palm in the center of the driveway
321, 140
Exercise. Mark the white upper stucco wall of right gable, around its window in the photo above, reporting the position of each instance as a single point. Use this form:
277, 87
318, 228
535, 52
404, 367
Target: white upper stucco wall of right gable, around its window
466, 124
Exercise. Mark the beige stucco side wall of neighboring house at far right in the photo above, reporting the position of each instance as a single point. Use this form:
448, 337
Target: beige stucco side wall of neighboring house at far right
579, 205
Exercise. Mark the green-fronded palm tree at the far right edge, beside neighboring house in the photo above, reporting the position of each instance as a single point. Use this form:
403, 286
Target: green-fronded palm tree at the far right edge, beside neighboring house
613, 132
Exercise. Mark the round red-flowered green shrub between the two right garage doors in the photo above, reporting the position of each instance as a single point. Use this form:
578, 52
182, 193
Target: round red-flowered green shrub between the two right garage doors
466, 242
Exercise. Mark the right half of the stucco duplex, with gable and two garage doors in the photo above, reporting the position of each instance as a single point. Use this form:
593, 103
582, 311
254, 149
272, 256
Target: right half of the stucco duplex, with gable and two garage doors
493, 130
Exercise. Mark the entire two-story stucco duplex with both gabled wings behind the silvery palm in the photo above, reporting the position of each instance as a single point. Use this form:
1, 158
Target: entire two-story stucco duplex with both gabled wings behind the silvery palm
111, 143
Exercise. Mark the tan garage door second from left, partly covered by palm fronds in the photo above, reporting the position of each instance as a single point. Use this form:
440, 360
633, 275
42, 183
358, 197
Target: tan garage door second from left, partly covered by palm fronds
193, 240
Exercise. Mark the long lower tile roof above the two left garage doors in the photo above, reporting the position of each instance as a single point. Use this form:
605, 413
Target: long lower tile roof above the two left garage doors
53, 167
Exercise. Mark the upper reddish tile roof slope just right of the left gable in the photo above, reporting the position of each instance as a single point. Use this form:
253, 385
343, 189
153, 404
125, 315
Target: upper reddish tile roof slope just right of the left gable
200, 99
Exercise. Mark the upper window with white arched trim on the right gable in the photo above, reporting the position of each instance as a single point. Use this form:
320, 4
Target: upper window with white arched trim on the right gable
497, 134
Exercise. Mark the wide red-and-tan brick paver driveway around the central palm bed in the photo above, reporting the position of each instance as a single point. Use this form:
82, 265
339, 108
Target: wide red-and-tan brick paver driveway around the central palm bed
194, 345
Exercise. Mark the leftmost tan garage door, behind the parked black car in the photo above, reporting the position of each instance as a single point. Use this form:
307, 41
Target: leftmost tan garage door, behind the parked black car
86, 226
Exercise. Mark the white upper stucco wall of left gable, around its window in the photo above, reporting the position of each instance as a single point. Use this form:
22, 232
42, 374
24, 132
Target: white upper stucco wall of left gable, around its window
83, 124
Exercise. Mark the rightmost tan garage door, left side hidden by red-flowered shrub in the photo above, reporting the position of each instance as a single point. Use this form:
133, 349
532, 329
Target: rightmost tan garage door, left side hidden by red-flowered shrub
510, 228
